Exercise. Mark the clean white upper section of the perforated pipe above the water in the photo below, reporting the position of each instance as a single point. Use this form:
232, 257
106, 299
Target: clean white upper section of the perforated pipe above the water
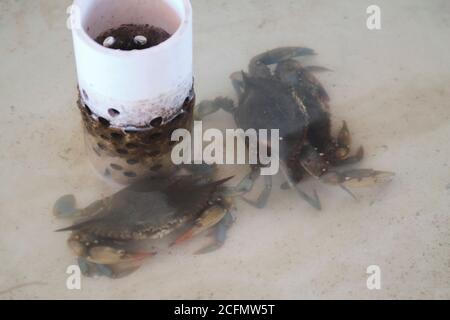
141, 84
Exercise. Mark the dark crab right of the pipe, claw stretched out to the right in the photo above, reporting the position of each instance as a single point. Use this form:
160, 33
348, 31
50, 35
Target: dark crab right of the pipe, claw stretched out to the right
291, 99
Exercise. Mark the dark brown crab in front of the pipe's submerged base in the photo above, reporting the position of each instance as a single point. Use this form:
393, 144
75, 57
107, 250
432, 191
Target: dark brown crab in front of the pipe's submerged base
108, 234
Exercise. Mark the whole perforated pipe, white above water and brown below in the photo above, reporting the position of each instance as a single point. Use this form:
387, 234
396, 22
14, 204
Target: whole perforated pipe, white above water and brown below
131, 101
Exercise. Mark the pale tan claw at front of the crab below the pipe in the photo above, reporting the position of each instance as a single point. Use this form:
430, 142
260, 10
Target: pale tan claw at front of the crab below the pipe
109, 256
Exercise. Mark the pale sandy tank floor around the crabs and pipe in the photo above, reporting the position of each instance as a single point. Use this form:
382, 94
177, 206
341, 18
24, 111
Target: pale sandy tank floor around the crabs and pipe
391, 85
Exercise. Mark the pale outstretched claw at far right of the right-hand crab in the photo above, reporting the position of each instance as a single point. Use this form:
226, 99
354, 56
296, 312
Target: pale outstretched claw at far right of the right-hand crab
359, 178
